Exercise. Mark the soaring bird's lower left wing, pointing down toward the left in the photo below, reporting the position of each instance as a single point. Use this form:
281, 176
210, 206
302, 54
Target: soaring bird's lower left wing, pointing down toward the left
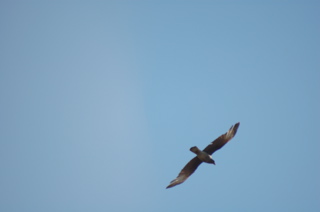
186, 172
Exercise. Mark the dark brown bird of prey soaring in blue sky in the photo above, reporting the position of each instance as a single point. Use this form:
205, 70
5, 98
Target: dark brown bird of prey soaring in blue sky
204, 156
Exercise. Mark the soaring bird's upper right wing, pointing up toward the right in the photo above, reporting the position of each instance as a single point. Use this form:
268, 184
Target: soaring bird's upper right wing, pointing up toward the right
222, 140
